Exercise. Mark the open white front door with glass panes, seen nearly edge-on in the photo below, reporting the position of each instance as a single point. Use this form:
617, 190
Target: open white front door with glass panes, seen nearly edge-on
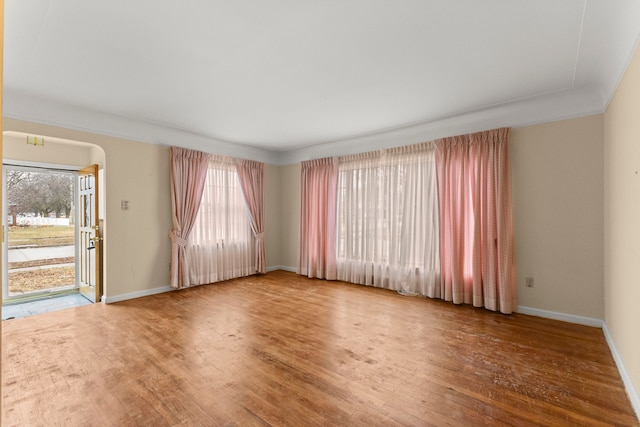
90, 234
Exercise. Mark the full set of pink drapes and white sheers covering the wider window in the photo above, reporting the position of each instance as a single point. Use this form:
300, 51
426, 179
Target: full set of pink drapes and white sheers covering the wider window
433, 219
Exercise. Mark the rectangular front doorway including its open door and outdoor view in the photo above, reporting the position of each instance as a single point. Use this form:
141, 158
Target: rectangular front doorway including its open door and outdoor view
52, 238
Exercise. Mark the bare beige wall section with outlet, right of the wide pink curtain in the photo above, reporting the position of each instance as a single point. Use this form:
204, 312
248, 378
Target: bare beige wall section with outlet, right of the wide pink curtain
557, 175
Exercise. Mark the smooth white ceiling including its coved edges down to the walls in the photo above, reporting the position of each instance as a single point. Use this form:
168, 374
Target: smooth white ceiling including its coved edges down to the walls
312, 77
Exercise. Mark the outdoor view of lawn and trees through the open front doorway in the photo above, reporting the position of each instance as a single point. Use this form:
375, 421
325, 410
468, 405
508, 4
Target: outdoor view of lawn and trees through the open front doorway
40, 231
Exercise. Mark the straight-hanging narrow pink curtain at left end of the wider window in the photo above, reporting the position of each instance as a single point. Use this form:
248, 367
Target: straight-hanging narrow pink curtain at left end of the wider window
317, 252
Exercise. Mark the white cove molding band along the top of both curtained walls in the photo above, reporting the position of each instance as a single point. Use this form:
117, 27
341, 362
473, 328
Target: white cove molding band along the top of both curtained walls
542, 109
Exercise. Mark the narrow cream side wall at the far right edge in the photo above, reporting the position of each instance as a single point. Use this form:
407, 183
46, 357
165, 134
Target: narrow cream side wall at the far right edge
622, 222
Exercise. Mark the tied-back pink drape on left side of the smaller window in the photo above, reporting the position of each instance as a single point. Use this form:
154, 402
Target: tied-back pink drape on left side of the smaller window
188, 170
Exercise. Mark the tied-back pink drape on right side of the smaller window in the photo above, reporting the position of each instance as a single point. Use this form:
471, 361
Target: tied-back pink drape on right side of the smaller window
251, 174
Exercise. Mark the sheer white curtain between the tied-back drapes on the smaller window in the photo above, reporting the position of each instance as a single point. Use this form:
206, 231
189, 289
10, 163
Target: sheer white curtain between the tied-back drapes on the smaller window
221, 244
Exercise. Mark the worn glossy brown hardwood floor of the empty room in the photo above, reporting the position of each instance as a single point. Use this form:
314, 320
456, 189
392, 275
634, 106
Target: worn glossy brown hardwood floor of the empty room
280, 349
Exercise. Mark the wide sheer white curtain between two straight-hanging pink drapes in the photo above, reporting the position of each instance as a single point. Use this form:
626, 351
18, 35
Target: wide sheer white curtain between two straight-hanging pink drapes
387, 220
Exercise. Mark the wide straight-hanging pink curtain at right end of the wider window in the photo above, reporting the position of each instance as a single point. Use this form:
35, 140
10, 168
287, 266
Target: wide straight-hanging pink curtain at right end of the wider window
476, 243
